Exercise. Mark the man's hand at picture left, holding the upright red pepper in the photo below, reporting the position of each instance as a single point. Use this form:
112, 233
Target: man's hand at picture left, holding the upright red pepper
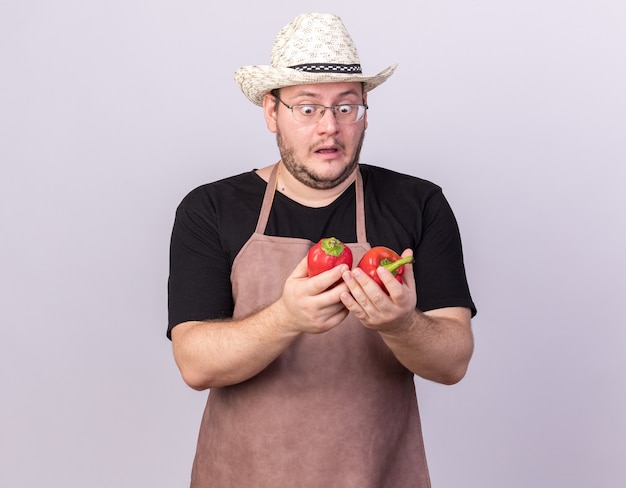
311, 305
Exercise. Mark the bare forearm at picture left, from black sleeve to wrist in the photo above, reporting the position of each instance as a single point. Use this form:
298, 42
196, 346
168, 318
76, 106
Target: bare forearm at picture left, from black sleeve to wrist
219, 353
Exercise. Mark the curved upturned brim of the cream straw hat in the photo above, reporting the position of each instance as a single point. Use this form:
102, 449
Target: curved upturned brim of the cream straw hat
256, 81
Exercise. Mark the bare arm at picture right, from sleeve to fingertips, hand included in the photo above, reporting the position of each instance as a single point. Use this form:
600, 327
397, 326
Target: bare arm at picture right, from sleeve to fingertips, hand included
436, 345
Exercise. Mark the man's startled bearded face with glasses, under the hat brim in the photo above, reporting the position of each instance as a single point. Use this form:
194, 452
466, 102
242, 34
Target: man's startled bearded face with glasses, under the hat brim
321, 154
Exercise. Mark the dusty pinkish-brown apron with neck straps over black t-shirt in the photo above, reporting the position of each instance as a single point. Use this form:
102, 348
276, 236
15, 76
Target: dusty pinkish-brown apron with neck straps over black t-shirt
333, 410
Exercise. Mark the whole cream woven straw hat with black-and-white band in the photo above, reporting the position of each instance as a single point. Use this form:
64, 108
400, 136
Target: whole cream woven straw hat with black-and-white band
312, 48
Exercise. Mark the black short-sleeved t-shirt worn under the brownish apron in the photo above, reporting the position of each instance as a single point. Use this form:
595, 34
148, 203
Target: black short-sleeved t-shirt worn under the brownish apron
215, 220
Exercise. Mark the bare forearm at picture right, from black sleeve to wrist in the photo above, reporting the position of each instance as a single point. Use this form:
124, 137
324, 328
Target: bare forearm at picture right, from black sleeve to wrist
436, 345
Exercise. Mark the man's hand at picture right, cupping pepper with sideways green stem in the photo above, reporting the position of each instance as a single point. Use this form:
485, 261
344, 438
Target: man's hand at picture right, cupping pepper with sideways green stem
372, 306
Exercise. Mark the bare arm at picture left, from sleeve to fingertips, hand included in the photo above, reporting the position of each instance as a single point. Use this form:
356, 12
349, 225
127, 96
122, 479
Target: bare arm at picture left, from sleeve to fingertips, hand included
220, 353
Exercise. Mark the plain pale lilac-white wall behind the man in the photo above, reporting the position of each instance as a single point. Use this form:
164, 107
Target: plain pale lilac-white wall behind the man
111, 111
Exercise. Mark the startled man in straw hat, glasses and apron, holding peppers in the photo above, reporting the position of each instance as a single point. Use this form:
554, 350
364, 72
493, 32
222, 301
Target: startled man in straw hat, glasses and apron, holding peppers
312, 385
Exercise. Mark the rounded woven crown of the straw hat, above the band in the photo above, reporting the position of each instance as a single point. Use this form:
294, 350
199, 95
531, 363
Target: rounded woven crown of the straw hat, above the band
314, 38
